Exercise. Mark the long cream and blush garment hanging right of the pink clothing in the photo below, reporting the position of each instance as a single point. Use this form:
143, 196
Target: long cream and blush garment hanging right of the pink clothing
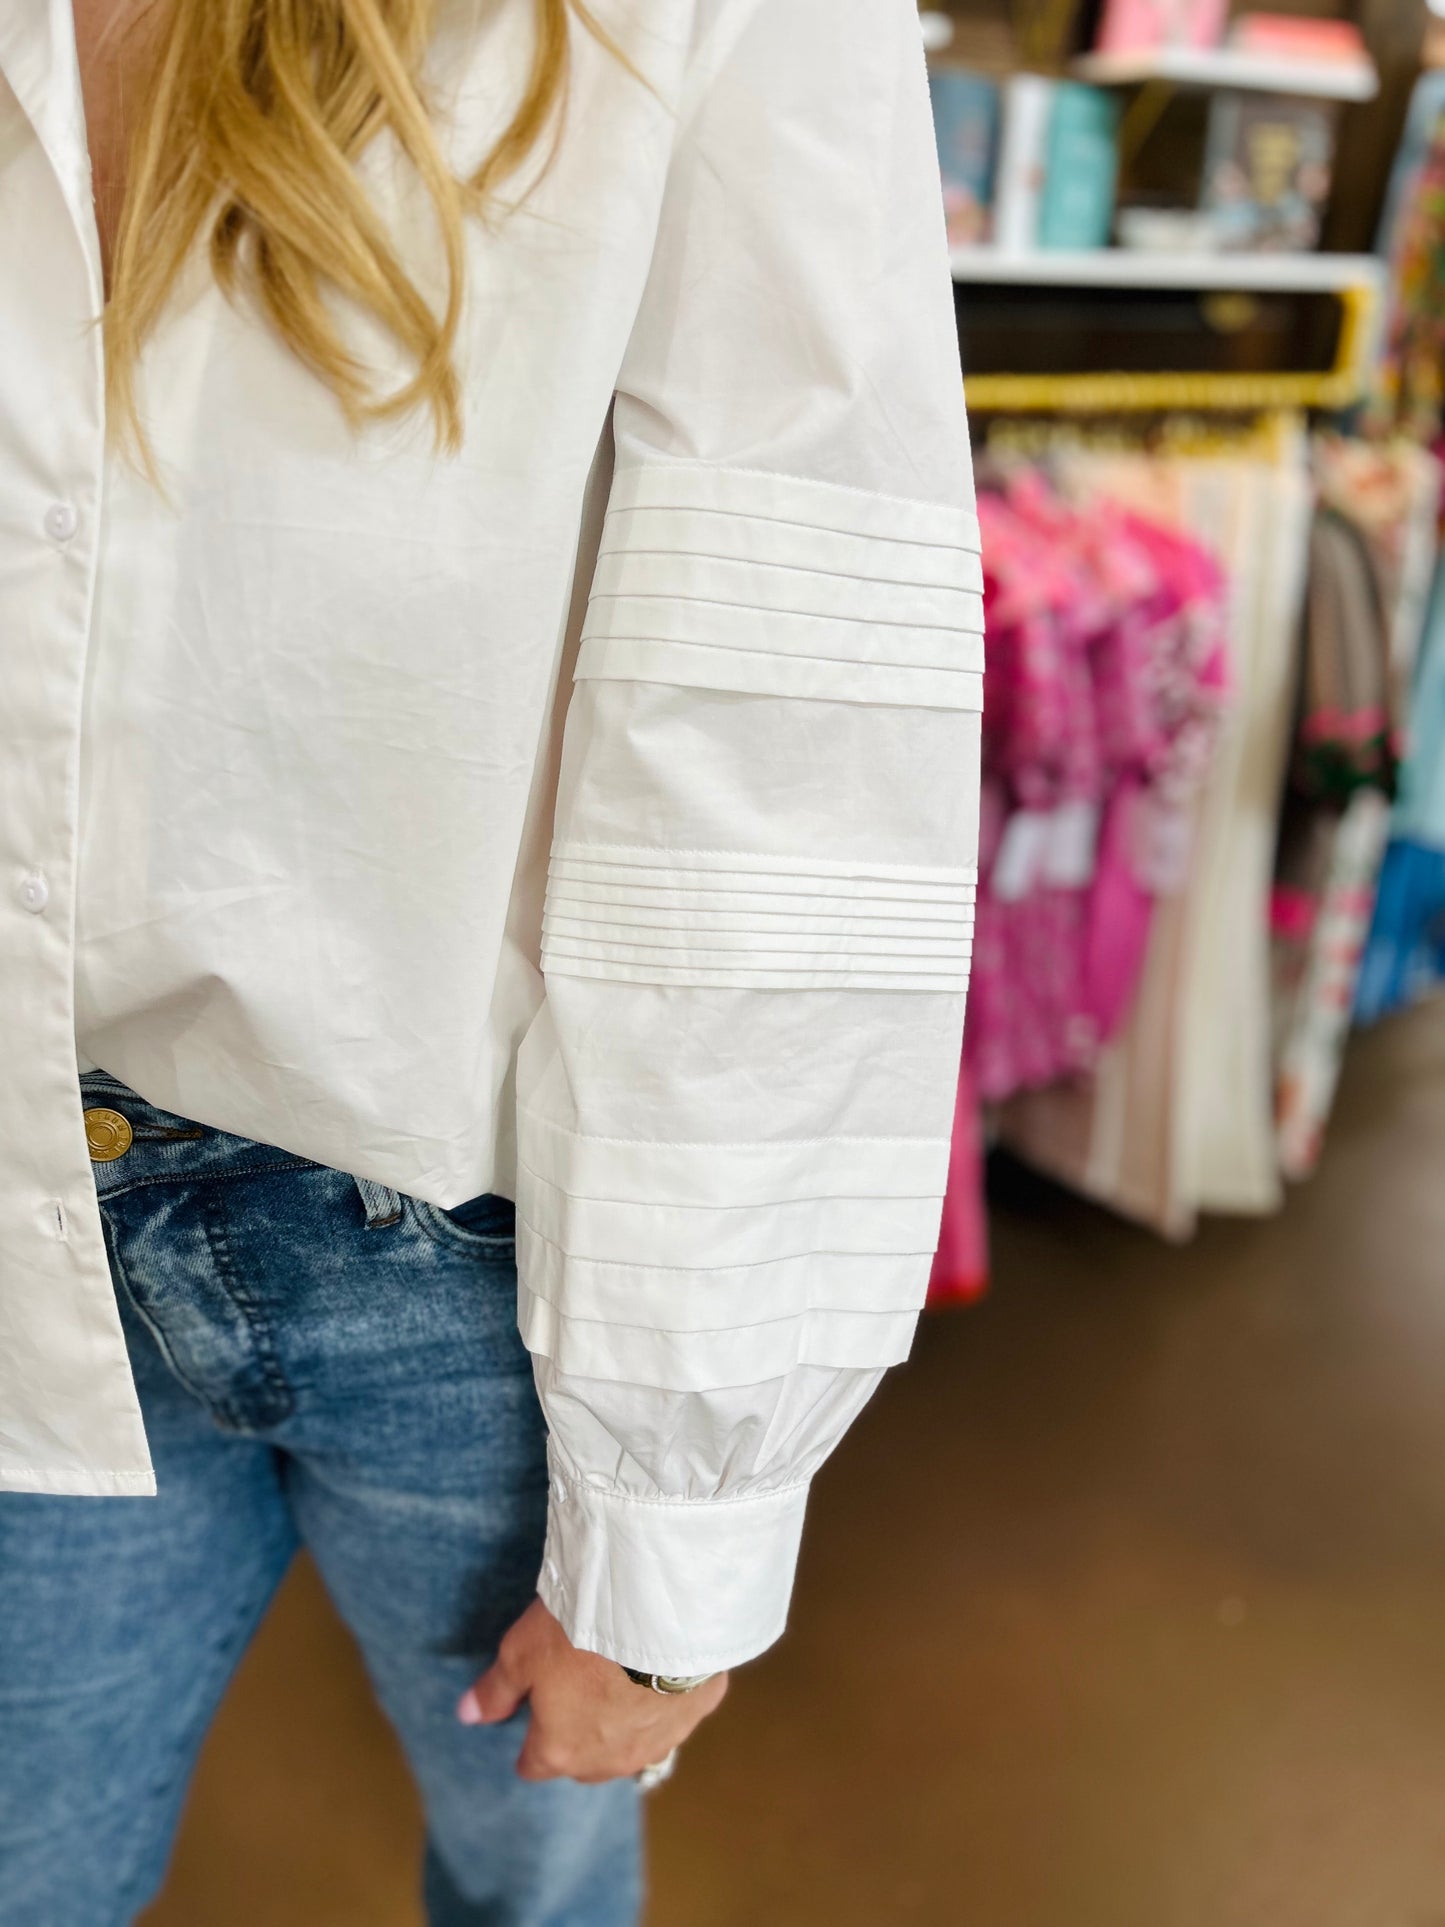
1178, 1117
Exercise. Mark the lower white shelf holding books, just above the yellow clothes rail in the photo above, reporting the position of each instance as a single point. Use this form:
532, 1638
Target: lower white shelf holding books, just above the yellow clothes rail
1117, 267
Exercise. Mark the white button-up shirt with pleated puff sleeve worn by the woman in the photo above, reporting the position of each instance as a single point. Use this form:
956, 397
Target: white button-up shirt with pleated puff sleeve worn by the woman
589, 818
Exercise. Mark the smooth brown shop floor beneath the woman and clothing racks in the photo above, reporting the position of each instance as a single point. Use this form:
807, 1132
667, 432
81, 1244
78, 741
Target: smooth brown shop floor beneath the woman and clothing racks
1122, 1608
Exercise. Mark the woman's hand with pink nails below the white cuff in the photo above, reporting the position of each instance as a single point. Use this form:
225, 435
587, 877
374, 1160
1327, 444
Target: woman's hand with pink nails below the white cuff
589, 1720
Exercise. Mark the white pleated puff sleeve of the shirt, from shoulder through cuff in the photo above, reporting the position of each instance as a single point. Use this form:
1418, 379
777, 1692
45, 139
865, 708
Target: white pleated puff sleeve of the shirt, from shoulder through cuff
735, 1105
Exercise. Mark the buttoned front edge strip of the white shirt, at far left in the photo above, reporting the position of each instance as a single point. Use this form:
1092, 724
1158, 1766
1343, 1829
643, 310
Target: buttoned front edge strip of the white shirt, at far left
68, 1410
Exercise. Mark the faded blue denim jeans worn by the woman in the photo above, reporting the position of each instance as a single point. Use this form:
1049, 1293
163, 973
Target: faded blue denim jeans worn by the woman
321, 1363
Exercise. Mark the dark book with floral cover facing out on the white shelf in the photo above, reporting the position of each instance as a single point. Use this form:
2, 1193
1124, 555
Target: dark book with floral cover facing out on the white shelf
1267, 171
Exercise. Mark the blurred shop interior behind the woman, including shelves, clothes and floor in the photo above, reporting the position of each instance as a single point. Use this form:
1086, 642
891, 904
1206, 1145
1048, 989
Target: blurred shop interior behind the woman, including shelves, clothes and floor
1126, 1602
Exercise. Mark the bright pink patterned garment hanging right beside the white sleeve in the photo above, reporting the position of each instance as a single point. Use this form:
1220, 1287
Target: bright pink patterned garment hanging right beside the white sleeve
1103, 685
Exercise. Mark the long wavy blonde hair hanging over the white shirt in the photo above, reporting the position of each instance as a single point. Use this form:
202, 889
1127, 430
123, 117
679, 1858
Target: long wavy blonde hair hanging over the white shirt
250, 136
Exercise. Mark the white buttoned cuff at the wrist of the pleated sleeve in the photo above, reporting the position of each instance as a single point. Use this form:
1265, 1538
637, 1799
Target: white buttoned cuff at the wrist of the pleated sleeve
670, 1585
